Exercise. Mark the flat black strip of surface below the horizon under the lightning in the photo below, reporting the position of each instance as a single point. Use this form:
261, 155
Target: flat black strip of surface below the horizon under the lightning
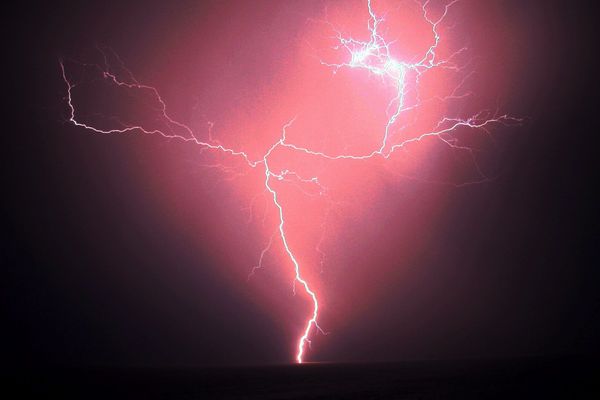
565, 378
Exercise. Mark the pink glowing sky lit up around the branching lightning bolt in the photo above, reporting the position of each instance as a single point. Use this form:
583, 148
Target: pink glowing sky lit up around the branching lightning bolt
236, 73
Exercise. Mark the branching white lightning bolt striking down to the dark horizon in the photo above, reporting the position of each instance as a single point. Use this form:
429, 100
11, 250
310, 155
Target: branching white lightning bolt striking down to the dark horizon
374, 57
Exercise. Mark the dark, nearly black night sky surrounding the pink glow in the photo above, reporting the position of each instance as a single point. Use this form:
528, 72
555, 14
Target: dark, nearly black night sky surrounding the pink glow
91, 277
